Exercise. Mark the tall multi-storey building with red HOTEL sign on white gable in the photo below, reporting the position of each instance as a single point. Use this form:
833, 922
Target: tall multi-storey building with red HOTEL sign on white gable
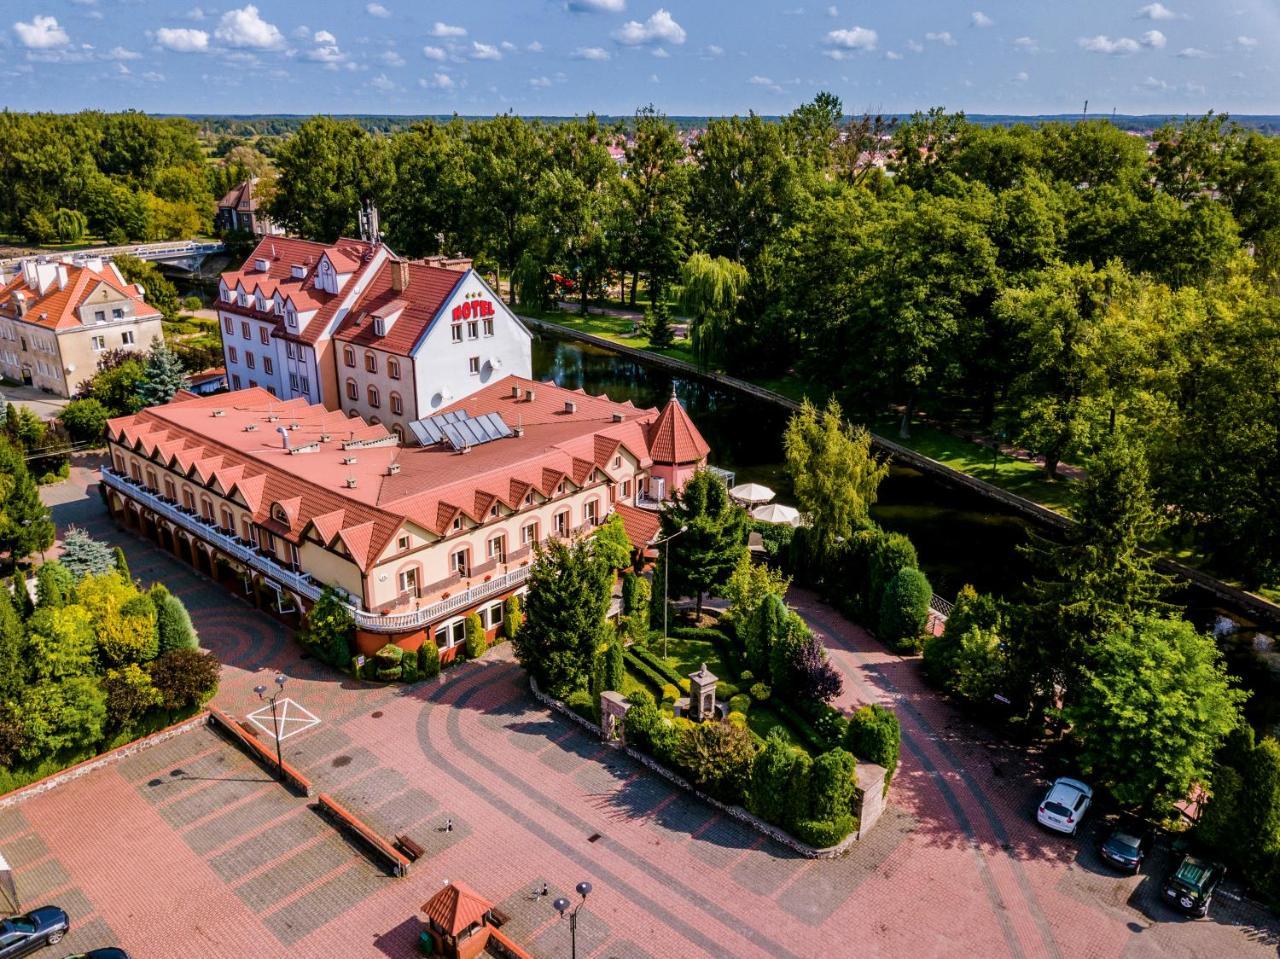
356, 328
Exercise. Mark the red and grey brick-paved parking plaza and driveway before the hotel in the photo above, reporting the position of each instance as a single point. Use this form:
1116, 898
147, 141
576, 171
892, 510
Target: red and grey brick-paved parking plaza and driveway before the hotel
190, 850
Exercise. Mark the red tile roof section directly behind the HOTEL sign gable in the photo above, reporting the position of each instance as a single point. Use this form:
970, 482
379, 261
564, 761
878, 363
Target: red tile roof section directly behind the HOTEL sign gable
429, 289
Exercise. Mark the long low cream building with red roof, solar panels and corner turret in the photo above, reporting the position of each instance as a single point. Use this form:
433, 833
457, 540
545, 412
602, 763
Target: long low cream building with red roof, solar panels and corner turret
284, 497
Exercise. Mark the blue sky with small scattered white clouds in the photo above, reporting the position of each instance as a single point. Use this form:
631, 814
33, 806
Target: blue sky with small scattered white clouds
687, 57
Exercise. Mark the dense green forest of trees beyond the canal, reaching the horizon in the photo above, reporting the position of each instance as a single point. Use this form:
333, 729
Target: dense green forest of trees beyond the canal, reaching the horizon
1062, 282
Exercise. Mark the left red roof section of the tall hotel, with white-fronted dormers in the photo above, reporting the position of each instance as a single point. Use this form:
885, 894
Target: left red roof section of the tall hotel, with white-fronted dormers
281, 255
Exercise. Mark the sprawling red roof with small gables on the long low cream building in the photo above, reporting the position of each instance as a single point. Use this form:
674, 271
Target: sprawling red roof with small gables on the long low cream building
235, 437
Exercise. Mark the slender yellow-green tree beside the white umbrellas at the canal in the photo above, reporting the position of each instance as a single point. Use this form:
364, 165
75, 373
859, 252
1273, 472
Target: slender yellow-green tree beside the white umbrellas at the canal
833, 471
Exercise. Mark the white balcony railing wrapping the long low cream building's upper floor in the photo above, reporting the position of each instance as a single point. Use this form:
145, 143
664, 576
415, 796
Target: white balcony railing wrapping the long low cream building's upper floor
301, 583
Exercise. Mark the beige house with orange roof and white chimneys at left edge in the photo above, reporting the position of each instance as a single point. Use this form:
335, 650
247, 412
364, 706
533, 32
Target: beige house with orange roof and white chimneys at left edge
58, 318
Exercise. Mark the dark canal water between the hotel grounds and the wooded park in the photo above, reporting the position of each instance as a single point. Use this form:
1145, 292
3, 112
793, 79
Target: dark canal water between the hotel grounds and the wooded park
961, 537
